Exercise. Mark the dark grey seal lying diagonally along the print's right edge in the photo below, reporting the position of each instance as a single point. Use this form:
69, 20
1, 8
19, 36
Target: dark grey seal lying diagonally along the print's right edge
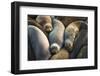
80, 41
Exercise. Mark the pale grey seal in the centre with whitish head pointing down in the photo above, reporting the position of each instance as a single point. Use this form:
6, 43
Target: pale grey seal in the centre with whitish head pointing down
56, 36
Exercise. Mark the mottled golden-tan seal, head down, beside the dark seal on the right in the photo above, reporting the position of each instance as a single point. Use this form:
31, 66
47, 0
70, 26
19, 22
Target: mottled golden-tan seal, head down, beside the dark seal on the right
71, 33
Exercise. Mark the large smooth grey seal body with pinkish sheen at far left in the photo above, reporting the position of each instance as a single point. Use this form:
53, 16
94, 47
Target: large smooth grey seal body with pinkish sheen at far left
39, 44
